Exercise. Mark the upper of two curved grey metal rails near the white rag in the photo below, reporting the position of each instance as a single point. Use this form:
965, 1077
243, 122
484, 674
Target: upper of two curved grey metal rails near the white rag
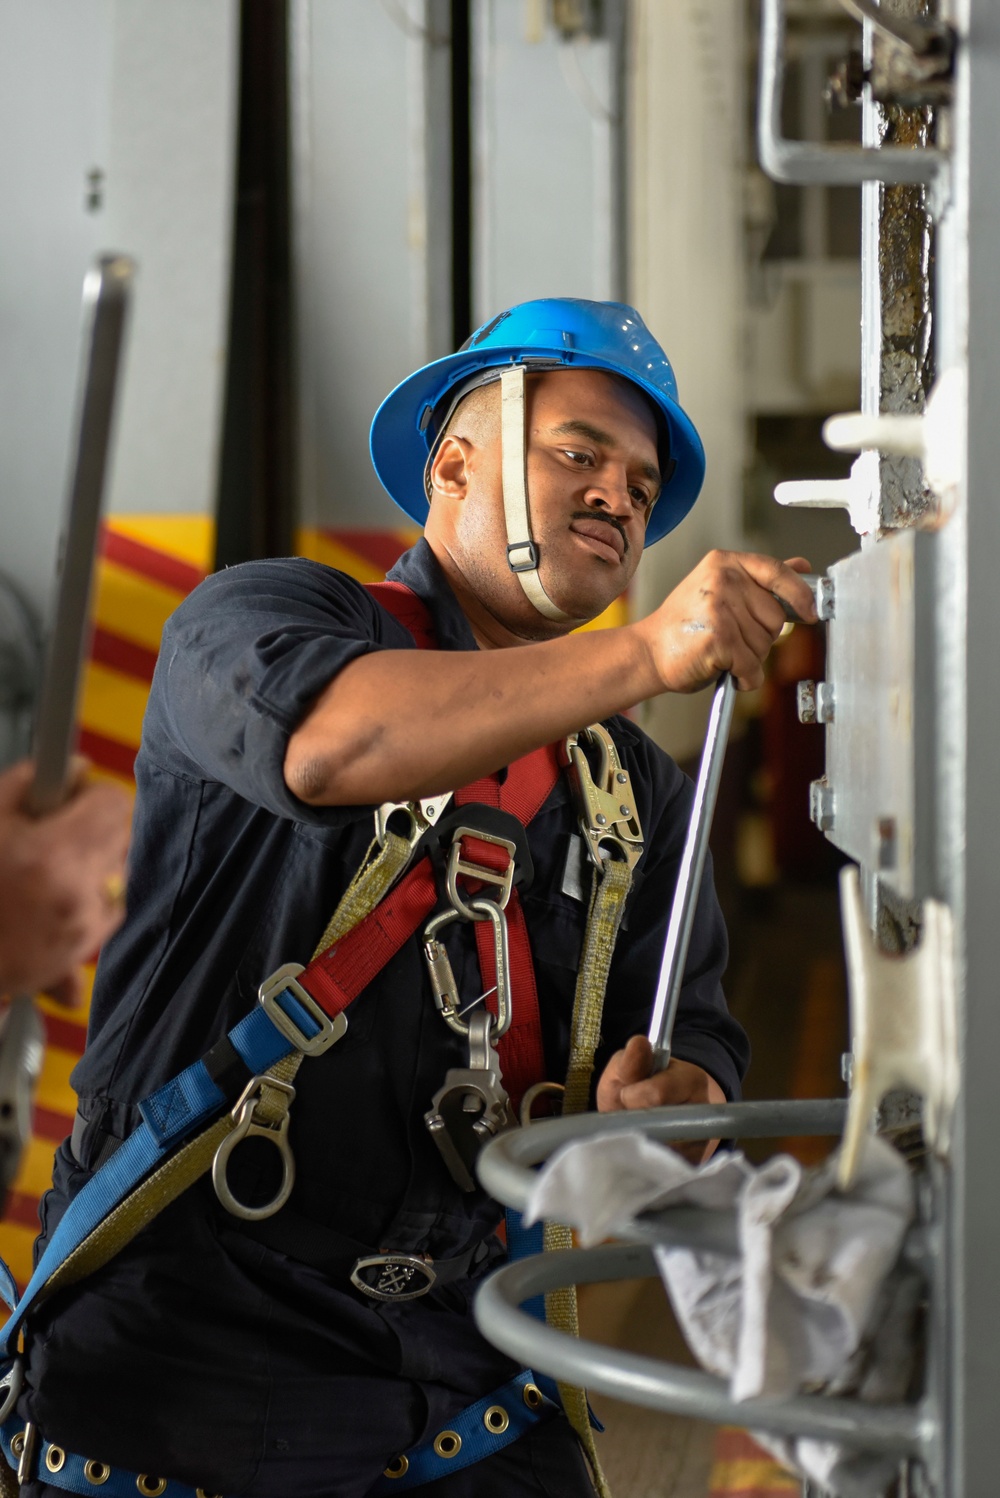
505, 1166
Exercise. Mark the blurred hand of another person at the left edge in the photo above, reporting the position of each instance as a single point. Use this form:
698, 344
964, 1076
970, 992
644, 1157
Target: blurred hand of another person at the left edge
61, 883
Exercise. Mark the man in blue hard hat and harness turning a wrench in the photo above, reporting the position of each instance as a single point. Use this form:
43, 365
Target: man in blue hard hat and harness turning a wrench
281, 1108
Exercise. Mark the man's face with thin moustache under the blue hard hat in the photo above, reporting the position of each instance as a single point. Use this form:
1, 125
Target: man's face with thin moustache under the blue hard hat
594, 477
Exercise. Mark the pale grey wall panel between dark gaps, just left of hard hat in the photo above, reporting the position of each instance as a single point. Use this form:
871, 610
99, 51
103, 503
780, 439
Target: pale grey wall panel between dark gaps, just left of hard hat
372, 200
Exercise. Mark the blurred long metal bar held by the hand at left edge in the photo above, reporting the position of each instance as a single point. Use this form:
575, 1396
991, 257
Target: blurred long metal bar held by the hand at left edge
107, 296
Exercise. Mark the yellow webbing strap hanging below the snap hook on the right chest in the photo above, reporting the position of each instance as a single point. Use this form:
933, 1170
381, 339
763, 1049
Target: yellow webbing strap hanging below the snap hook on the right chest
607, 909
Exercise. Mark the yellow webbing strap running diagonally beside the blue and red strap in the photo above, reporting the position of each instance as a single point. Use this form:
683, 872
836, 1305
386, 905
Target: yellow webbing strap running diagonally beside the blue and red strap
194, 1159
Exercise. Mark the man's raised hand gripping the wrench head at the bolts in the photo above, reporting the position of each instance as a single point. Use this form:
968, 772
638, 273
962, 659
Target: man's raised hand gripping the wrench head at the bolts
725, 616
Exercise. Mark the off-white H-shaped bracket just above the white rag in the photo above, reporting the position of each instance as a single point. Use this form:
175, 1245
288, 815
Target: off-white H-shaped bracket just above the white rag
903, 1022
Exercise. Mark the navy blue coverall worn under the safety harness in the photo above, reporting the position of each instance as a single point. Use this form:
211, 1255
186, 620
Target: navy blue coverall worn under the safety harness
237, 1356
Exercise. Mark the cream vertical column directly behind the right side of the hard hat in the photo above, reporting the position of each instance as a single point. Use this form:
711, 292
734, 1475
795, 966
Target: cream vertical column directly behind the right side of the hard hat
686, 275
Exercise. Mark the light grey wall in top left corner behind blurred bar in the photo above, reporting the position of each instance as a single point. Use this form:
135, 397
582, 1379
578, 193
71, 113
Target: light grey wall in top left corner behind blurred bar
144, 94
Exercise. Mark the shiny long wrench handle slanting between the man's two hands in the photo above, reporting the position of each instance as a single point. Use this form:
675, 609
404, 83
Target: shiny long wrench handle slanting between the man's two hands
689, 879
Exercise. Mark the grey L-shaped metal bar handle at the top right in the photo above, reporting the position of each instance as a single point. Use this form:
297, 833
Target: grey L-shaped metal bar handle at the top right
805, 163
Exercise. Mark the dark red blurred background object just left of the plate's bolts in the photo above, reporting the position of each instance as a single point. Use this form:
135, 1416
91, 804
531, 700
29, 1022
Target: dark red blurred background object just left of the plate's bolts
794, 756
